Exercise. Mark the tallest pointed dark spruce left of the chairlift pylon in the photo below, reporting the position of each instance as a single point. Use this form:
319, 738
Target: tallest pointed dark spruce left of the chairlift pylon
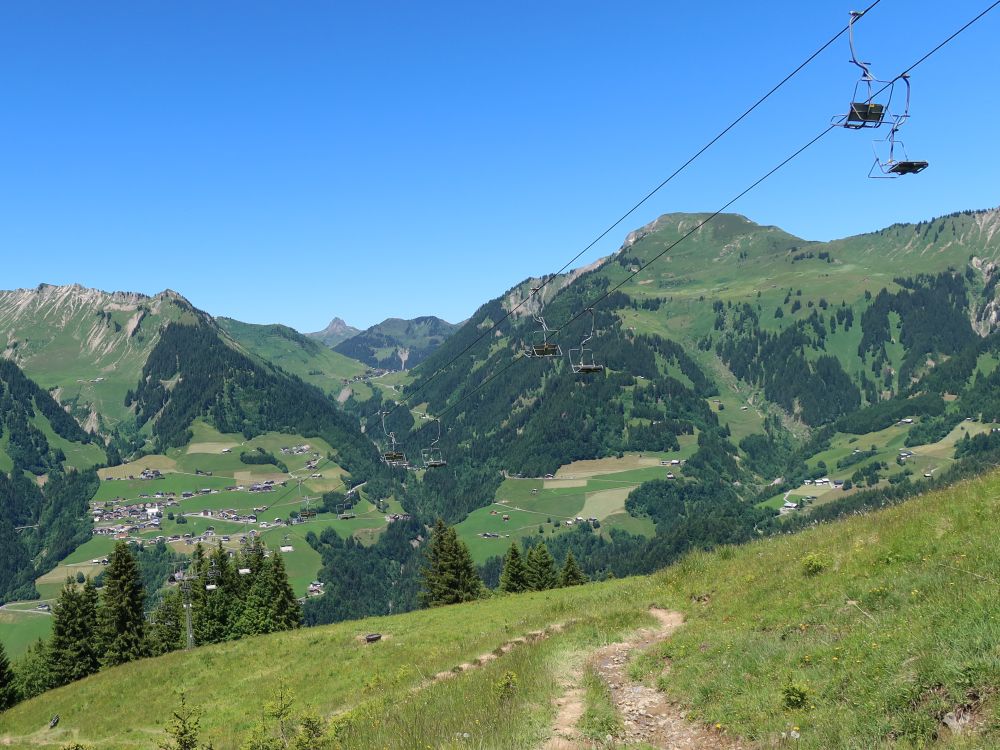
122, 622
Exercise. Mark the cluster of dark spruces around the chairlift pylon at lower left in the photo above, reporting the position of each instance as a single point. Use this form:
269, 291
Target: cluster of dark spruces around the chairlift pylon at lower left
229, 597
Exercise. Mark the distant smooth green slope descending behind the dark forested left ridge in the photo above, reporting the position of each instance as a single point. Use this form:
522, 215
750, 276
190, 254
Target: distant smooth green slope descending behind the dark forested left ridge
298, 354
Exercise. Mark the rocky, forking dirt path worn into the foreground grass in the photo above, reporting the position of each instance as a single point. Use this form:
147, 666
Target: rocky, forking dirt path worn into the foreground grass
648, 716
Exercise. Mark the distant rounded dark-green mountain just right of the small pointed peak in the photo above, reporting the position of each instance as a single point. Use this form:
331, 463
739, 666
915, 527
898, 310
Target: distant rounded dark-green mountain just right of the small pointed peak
396, 343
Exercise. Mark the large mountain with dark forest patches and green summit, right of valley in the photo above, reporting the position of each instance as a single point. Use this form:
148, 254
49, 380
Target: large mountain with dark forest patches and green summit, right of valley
744, 336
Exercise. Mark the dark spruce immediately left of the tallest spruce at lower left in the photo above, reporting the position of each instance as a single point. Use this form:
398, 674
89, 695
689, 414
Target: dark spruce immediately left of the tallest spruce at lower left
73, 650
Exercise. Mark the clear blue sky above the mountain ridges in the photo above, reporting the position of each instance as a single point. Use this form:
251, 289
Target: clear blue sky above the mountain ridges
288, 162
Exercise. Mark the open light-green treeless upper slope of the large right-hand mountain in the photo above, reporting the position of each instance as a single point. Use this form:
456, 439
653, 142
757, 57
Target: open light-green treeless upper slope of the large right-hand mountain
733, 260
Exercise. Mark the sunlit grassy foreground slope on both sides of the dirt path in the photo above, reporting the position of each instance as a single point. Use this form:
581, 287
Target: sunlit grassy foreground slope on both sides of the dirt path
899, 627
